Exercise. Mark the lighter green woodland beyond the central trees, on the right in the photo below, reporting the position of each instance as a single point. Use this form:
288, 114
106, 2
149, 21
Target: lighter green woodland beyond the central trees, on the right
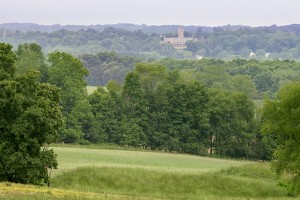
256, 78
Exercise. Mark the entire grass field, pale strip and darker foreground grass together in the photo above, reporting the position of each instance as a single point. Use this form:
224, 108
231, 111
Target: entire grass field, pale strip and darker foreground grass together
86, 173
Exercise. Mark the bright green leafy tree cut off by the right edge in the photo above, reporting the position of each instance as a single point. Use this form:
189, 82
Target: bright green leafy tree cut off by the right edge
282, 121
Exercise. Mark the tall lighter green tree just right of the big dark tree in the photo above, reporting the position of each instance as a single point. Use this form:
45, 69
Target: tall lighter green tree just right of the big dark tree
69, 74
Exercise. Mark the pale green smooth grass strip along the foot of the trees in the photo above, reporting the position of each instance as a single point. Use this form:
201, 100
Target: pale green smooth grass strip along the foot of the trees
71, 158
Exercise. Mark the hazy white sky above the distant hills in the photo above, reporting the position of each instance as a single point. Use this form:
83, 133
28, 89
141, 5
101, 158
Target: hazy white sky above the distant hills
152, 12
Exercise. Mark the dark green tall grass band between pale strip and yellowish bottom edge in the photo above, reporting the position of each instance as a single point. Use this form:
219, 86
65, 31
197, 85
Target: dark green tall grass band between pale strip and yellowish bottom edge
155, 184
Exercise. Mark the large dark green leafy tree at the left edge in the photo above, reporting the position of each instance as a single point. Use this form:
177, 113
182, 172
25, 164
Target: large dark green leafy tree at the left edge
30, 117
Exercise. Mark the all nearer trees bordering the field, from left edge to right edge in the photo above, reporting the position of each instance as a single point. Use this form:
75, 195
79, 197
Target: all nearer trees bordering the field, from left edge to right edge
155, 108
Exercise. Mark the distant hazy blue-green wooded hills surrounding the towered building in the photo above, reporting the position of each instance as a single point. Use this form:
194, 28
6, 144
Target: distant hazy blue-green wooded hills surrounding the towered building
227, 42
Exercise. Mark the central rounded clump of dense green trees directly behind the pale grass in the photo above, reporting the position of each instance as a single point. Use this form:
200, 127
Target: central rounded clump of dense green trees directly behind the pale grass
156, 108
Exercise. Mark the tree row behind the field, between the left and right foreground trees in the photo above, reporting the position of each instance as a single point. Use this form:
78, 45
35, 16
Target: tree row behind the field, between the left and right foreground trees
155, 107
